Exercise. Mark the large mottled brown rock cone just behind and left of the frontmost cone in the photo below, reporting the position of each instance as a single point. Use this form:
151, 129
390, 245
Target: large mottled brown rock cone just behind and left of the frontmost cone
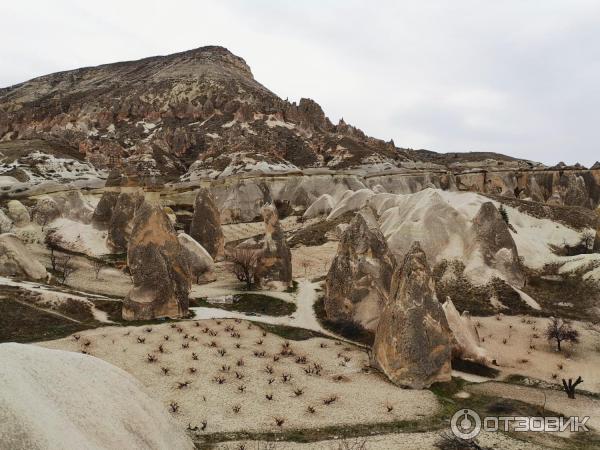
359, 278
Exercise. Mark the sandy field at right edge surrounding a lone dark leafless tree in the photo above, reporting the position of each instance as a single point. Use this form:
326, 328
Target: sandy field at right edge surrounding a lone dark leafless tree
527, 352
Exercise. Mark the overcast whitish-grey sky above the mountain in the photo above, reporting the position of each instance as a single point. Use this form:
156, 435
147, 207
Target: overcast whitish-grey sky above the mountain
516, 77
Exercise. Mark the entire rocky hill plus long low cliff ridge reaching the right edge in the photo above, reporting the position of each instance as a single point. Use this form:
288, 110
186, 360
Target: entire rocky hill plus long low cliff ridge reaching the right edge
200, 115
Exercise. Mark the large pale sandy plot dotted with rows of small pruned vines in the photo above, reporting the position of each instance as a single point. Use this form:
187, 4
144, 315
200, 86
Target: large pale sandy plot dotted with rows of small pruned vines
360, 397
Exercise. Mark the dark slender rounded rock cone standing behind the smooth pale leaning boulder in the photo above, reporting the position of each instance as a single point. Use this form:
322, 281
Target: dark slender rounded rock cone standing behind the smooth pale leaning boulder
206, 224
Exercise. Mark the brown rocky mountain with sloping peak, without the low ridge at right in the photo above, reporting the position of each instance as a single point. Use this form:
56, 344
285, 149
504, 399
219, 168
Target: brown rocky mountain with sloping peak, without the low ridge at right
200, 108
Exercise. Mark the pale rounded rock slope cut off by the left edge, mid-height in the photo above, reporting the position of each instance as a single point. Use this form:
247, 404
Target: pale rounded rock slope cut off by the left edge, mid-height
16, 260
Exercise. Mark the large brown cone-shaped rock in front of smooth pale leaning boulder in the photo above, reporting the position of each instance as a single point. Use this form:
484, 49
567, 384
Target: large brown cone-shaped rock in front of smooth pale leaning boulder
159, 268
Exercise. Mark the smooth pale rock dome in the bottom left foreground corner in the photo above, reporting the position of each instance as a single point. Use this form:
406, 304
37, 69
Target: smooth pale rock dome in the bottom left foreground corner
94, 406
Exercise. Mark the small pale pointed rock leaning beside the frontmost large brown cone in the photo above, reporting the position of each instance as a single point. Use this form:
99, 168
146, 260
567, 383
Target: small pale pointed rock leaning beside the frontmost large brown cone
466, 337
